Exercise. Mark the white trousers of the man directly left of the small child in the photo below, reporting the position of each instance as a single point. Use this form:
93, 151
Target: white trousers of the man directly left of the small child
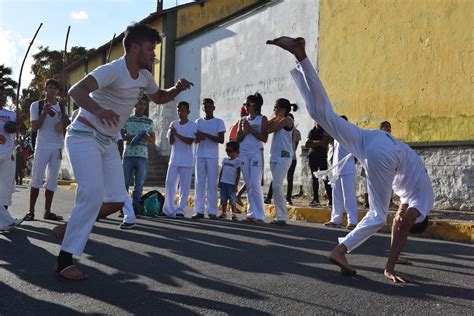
206, 176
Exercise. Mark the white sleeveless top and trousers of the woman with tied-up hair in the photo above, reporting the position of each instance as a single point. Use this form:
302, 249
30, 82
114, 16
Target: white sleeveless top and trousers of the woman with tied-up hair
281, 157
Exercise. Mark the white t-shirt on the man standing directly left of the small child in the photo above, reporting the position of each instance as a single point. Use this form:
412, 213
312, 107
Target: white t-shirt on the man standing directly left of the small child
207, 148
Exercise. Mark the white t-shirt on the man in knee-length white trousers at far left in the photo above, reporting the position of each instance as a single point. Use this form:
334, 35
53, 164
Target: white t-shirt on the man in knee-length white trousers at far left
48, 137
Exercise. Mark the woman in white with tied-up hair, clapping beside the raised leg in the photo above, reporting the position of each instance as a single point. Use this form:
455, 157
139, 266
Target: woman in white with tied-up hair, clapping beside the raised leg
281, 154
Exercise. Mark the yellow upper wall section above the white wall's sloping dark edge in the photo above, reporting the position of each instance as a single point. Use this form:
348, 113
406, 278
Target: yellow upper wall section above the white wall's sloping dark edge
194, 17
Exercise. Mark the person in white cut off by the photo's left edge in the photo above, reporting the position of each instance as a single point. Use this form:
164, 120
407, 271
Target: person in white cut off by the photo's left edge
7, 164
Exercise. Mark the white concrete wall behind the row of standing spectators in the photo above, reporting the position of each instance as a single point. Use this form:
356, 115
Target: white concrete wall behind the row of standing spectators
233, 61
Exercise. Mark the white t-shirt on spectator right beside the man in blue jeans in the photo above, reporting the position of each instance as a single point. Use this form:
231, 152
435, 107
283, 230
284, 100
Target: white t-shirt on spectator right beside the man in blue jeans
182, 153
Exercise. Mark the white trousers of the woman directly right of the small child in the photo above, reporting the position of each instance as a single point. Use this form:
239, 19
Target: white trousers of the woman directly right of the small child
251, 167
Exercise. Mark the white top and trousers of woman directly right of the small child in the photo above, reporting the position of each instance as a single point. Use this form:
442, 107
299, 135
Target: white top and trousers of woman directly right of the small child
251, 164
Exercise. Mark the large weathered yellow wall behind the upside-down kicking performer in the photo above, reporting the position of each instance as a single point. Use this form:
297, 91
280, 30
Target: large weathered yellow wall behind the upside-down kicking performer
405, 61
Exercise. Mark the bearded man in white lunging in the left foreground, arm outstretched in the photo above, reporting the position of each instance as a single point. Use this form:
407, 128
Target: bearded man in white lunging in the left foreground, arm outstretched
107, 97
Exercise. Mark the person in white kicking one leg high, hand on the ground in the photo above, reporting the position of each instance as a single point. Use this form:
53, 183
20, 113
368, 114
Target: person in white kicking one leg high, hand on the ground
388, 162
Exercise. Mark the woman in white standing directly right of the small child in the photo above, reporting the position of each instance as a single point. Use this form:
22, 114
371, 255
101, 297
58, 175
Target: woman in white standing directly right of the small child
252, 134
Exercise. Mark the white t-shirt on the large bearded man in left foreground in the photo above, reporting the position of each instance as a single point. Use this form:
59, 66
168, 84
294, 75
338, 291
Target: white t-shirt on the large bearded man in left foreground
119, 92
